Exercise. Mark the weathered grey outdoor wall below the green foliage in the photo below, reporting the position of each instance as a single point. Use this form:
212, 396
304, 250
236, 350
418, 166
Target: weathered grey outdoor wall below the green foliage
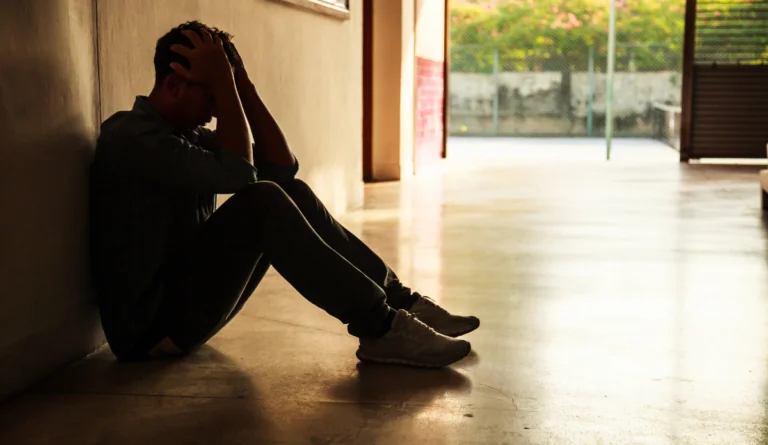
556, 103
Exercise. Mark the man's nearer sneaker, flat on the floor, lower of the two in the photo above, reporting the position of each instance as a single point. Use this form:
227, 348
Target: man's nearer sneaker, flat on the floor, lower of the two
411, 342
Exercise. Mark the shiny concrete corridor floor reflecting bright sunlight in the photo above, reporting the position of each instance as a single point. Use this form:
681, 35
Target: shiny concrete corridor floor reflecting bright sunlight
622, 303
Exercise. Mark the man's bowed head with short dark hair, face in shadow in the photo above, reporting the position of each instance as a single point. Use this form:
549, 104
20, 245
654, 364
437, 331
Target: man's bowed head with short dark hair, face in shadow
185, 103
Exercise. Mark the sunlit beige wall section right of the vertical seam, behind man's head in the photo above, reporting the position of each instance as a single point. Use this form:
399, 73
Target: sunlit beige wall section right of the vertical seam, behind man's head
306, 66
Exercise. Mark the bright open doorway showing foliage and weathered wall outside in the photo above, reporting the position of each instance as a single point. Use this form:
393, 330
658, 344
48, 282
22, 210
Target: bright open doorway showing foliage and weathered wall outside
532, 75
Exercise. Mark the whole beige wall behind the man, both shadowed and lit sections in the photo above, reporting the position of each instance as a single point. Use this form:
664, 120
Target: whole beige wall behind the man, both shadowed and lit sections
307, 67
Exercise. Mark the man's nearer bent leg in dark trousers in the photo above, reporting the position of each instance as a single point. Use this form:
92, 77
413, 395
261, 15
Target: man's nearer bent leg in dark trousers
256, 224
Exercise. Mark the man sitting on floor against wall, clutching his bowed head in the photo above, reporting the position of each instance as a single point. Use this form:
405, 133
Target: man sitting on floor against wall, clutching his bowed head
170, 270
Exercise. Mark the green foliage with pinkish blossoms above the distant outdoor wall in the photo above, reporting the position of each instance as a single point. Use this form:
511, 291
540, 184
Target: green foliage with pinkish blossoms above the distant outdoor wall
555, 35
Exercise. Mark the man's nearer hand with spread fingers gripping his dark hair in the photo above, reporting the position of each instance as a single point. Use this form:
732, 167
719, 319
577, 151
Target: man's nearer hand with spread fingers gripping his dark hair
207, 60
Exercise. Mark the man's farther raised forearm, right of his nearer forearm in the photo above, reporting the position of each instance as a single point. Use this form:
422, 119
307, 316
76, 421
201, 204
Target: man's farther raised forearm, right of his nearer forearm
270, 143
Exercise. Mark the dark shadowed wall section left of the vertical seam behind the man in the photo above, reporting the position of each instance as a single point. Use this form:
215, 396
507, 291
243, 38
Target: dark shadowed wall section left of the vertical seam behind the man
48, 125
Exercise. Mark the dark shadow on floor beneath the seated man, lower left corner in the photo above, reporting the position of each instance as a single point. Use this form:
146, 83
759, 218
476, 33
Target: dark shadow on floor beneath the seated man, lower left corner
100, 400
